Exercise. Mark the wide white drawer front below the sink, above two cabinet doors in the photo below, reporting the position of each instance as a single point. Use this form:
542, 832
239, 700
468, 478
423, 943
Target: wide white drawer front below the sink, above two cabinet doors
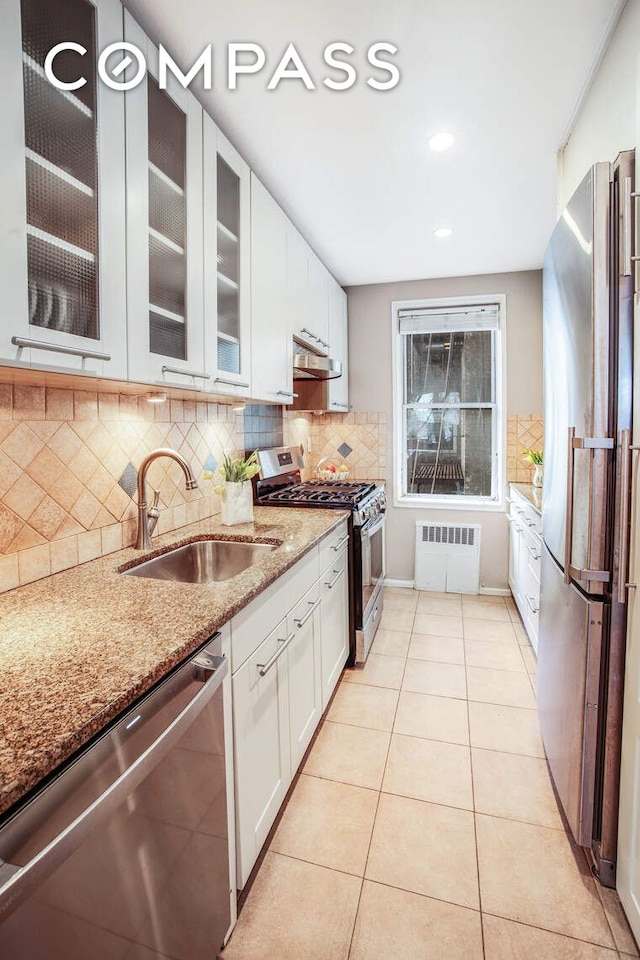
248, 628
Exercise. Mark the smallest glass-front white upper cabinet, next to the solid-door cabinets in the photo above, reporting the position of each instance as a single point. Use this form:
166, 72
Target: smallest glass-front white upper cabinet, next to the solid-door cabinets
227, 263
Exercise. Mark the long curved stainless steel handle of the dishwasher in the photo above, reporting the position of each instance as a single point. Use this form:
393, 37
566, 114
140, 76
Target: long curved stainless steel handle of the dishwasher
18, 881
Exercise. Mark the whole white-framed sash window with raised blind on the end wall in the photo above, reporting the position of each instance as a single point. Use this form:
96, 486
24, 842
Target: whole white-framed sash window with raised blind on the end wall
448, 409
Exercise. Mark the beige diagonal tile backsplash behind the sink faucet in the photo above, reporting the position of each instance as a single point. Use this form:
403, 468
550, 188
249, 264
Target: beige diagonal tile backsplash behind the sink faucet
68, 460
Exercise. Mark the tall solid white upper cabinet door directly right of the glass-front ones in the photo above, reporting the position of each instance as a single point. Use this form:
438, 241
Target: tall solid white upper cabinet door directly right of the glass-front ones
271, 300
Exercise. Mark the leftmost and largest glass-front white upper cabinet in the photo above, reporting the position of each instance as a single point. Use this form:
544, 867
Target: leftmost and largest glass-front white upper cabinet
62, 192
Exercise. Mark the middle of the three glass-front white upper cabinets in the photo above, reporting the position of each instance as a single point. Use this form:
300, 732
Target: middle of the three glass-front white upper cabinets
164, 229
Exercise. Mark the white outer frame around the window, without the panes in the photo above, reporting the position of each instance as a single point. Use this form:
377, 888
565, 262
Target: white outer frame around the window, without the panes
423, 501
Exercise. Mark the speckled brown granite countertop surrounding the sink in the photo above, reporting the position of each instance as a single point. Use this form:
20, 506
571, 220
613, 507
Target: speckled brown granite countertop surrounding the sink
79, 647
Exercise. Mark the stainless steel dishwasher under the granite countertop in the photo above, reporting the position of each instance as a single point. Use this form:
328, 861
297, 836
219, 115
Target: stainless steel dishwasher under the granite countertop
124, 855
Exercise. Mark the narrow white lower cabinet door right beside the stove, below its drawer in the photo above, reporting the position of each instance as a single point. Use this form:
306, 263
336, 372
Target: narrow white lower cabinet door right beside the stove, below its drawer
334, 622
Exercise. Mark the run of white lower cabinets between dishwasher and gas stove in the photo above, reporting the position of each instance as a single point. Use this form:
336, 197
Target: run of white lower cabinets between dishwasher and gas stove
281, 685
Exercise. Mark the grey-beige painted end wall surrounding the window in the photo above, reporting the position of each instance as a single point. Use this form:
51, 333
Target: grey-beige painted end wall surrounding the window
370, 387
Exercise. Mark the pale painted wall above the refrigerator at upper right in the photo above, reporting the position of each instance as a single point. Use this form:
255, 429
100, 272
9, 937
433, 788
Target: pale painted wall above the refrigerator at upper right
605, 124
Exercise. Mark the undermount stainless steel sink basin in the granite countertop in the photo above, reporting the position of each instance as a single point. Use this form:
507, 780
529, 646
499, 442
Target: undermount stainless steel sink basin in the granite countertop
203, 561
